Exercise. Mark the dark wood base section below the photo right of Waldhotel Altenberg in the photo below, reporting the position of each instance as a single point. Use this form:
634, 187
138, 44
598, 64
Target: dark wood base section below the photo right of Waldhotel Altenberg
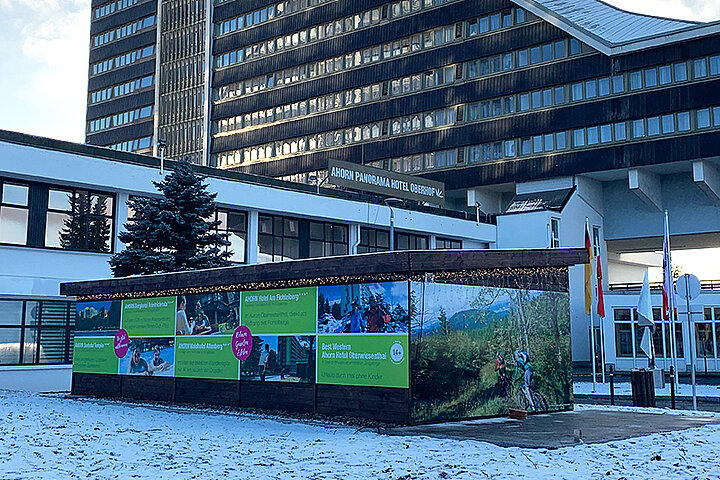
289, 397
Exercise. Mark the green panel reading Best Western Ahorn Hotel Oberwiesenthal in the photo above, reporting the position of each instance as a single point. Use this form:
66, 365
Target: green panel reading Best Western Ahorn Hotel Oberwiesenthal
365, 360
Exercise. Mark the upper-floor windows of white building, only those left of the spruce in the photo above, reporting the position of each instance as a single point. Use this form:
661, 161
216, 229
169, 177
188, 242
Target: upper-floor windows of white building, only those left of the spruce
75, 219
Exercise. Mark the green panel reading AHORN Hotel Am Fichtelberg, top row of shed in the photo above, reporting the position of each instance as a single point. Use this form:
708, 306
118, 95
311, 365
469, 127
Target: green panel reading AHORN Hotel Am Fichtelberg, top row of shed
290, 310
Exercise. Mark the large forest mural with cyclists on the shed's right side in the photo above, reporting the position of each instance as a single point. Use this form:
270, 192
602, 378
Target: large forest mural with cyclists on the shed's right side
479, 351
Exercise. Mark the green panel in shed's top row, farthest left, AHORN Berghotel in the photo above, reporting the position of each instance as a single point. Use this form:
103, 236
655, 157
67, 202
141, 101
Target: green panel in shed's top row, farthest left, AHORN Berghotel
149, 316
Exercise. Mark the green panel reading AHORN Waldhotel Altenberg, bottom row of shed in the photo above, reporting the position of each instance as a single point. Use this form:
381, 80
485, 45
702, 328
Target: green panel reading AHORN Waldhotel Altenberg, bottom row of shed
205, 357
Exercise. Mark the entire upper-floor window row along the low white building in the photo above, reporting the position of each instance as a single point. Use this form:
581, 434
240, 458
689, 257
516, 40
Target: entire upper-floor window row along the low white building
77, 219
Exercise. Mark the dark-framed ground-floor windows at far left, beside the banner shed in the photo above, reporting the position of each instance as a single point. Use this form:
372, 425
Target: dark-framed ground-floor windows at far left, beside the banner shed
36, 331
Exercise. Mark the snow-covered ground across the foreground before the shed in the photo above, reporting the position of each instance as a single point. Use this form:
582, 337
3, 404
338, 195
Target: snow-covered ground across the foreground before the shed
49, 437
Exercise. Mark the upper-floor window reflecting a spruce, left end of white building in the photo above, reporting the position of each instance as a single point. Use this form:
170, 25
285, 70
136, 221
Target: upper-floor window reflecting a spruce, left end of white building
79, 220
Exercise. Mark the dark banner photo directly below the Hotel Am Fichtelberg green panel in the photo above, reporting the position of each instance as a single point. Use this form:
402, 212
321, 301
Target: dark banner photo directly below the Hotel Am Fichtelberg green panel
281, 359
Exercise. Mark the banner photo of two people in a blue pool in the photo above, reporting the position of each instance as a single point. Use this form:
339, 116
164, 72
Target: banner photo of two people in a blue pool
149, 356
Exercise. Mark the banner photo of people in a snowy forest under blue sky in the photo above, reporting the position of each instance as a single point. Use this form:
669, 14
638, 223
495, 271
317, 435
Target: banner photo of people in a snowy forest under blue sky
363, 308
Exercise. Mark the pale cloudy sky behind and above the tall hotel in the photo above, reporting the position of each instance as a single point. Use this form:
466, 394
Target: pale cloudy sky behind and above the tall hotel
44, 59
